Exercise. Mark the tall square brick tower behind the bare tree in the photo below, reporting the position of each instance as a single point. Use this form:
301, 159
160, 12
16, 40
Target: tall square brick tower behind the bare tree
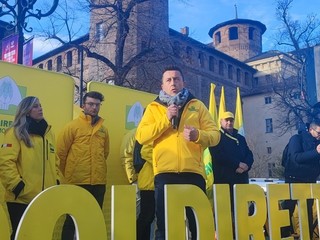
146, 28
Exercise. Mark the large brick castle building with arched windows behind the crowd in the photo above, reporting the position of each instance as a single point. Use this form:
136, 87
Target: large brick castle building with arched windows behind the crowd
202, 63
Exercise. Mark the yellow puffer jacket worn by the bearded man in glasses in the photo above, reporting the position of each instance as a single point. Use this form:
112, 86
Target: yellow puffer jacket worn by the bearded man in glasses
83, 150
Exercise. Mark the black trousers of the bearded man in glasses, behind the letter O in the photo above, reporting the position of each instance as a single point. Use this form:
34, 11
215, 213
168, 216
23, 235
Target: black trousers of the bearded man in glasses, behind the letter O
97, 191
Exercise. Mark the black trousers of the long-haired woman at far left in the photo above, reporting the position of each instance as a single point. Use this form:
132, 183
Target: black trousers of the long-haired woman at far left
16, 211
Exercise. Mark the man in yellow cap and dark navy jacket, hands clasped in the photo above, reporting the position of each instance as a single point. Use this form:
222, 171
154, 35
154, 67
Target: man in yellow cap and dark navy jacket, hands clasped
231, 158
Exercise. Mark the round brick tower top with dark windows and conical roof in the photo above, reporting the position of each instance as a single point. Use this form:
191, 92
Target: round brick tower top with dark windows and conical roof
239, 38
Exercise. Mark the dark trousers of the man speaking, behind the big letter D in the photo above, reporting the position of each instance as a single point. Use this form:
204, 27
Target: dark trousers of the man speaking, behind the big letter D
175, 178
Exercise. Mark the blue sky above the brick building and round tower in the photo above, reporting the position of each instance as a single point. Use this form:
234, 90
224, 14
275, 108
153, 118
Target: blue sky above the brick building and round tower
201, 15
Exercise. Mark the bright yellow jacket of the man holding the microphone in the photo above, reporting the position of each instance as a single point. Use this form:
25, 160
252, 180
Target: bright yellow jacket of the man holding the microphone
171, 152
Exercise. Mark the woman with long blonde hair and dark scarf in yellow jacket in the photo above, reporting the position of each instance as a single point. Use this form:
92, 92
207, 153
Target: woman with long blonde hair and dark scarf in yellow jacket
28, 163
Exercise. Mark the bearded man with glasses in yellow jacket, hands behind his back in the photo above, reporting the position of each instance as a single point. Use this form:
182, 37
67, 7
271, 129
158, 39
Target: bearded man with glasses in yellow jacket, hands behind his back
83, 148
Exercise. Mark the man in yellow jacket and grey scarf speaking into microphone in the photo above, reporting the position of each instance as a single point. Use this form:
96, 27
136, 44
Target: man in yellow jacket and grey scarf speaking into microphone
179, 127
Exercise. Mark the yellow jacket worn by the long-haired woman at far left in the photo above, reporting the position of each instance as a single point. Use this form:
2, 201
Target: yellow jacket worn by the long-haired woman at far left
37, 166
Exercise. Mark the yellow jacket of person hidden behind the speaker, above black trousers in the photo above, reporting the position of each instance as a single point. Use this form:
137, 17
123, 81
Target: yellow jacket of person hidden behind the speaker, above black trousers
146, 176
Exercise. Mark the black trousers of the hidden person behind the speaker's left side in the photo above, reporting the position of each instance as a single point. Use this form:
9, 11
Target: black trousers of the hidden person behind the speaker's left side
147, 214
